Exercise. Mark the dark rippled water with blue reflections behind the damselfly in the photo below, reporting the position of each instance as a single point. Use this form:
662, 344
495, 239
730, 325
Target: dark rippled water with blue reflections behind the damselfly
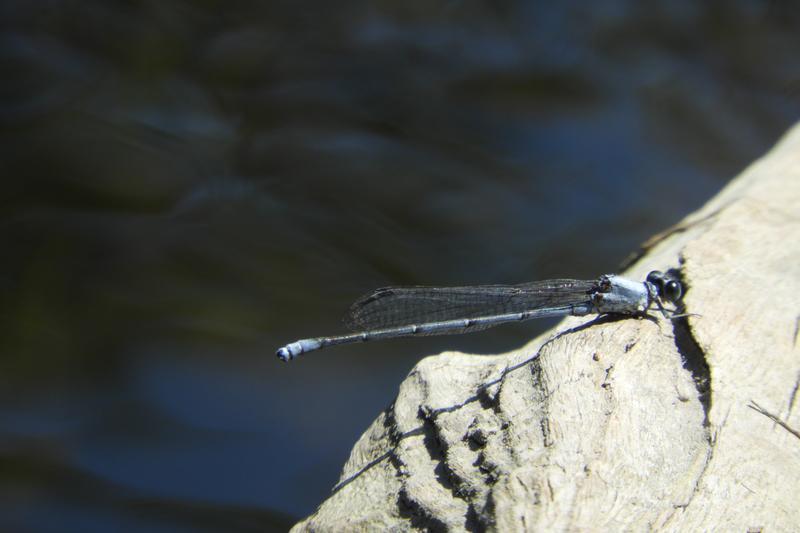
188, 185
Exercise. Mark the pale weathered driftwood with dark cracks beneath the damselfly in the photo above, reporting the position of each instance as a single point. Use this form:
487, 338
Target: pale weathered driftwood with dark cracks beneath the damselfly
689, 424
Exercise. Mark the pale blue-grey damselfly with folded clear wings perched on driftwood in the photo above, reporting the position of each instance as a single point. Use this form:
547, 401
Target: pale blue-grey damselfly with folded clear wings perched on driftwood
407, 311
